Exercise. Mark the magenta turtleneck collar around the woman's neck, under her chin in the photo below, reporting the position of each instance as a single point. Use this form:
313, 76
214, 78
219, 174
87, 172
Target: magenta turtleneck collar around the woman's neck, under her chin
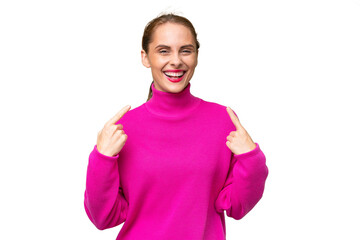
172, 105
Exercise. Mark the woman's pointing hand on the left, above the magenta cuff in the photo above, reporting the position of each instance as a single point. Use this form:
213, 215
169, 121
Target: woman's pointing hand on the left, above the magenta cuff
112, 138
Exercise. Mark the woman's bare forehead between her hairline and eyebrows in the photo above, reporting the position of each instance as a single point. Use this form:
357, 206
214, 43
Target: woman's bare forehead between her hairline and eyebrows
172, 34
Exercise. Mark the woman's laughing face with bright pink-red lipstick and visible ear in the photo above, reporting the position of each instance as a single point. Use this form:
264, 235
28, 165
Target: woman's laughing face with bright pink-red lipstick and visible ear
172, 57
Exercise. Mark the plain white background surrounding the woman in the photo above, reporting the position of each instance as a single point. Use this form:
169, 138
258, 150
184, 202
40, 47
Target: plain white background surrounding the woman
289, 69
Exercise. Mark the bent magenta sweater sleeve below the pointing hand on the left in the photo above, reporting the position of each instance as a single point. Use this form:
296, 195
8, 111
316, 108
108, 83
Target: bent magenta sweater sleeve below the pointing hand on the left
104, 202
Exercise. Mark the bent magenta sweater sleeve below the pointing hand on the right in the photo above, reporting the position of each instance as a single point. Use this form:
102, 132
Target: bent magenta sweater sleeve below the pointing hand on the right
244, 185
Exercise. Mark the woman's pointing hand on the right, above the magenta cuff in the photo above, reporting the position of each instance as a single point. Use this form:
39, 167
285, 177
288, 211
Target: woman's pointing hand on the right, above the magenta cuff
238, 141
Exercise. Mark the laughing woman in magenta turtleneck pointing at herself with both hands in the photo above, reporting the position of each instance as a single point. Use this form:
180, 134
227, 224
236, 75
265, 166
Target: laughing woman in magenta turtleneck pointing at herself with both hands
170, 168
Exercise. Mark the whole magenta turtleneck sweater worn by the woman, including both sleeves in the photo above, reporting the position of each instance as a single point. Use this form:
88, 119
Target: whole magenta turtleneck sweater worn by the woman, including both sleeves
175, 176
